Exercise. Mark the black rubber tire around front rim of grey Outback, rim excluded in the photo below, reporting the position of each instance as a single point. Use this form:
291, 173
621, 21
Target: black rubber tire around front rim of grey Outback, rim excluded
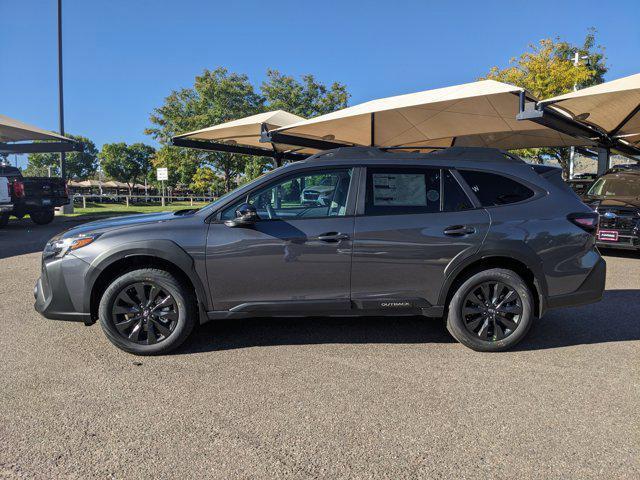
166, 281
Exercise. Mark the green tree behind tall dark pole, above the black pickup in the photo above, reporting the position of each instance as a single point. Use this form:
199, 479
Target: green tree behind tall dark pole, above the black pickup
79, 164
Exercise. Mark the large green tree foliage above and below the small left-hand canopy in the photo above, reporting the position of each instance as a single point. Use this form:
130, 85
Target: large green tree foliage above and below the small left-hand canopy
219, 96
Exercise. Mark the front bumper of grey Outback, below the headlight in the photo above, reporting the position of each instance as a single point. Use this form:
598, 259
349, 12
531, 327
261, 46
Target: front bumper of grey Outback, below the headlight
60, 291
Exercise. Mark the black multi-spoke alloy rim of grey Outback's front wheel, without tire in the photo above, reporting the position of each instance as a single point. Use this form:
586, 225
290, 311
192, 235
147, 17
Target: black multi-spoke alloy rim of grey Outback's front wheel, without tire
145, 313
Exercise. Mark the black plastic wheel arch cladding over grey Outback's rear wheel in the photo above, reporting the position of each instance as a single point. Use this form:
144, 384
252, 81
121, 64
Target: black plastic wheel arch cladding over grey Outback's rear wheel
517, 265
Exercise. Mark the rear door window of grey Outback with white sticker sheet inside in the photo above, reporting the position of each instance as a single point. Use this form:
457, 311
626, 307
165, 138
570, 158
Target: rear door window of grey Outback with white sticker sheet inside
402, 190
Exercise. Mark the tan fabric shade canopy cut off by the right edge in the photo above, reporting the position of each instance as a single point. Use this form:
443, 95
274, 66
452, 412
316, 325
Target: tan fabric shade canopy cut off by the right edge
613, 107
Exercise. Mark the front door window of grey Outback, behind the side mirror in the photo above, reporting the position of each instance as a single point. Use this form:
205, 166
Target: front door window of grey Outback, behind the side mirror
305, 195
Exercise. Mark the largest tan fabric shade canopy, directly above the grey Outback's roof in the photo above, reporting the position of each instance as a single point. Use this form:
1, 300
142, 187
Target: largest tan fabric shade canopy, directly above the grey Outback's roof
480, 113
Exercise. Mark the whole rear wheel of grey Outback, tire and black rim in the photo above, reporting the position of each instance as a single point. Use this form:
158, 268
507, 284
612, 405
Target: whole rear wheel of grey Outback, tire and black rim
486, 322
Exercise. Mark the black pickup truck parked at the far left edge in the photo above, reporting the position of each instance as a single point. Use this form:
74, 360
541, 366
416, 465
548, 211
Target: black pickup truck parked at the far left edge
34, 196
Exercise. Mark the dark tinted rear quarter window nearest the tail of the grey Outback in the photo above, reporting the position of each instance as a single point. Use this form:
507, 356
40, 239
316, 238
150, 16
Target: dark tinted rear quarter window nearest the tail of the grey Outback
492, 189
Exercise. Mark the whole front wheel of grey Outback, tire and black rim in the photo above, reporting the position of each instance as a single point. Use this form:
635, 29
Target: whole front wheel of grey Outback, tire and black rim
168, 325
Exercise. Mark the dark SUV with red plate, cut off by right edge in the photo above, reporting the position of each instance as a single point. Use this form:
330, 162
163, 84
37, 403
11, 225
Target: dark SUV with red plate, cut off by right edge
616, 197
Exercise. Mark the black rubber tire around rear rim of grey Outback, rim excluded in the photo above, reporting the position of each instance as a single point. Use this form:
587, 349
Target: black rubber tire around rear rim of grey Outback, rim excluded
455, 321
